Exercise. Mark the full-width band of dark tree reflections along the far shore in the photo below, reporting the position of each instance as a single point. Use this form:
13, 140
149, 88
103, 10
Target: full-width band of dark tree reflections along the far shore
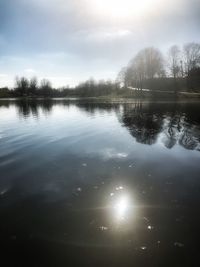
173, 123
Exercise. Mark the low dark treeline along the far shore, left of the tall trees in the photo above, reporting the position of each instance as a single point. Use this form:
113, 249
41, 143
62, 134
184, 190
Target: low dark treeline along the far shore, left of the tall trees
32, 88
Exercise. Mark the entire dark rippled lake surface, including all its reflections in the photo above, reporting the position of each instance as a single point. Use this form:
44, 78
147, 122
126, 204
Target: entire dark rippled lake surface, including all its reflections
99, 184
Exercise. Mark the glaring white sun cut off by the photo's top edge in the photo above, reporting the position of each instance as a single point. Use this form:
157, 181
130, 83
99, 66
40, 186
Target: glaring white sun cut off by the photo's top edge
121, 8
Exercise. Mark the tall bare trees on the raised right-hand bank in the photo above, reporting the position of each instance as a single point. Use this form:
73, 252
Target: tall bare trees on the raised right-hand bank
179, 70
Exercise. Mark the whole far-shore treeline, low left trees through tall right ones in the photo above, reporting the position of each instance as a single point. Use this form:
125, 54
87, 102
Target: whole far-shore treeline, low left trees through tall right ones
178, 71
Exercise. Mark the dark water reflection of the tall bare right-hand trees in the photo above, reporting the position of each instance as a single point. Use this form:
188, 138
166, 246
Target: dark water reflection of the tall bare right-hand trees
177, 124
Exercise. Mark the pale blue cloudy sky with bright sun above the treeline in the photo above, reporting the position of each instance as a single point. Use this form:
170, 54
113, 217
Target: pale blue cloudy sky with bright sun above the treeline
69, 41
